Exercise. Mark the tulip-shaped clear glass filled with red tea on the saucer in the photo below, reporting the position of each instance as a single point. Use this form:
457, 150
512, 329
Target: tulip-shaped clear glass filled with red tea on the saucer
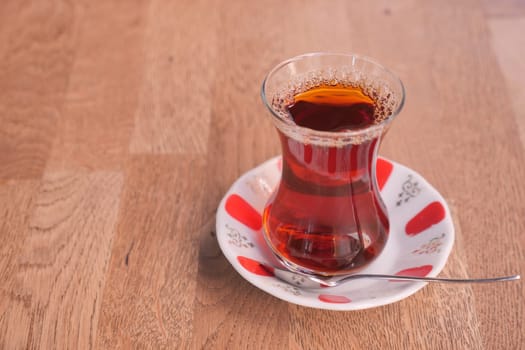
326, 217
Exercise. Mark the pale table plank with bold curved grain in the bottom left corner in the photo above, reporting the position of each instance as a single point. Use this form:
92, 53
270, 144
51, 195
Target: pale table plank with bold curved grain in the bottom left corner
61, 261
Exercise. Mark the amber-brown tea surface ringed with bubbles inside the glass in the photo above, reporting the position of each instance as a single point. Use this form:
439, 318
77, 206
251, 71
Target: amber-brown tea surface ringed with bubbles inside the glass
373, 103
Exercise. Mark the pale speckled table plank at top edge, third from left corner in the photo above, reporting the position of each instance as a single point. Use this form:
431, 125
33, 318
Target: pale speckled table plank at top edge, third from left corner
174, 111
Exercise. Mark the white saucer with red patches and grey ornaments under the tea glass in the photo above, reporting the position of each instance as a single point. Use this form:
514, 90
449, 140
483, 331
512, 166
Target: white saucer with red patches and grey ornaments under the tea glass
420, 240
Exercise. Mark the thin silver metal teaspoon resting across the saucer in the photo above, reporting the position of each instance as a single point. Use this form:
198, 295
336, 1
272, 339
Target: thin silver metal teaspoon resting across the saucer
333, 283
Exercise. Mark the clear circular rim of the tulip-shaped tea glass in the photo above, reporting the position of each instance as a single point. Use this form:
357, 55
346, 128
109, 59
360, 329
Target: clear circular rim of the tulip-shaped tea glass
324, 135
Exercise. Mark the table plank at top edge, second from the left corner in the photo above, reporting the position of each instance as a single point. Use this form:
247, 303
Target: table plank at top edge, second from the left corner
97, 114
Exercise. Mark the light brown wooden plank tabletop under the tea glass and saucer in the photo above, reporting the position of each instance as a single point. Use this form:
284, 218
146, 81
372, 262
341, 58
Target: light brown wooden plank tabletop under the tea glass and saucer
123, 123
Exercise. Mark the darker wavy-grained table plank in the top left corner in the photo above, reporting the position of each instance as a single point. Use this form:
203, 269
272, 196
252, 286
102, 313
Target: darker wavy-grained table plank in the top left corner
35, 61
